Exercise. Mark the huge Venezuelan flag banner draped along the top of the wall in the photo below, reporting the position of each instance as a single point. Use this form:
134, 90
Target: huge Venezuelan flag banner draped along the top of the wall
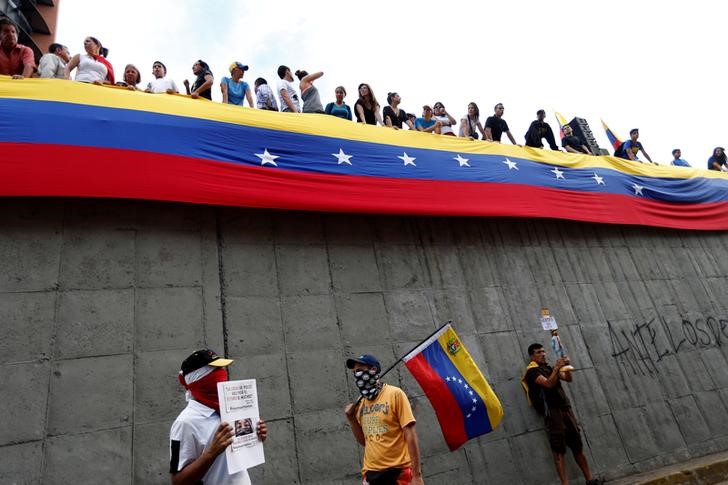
70, 139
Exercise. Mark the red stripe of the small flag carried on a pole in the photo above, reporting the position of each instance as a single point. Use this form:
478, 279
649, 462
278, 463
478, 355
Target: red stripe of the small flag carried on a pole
446, 407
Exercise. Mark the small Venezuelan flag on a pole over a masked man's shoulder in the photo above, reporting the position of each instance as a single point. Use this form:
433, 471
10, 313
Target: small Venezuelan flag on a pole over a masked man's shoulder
464, 403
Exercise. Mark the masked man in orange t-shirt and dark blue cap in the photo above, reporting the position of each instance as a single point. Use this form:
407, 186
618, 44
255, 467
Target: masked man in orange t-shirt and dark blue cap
383, 423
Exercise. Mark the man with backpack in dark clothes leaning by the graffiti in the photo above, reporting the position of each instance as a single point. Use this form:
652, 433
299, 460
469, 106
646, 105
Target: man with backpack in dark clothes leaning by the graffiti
542, 384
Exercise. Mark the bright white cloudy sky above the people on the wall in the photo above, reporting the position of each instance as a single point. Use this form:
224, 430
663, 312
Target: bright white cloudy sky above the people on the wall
656, 66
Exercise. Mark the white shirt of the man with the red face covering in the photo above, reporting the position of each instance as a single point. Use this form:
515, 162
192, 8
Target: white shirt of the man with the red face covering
193, 429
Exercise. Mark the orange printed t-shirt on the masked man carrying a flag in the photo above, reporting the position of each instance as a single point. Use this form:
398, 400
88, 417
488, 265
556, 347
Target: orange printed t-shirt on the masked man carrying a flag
382, 421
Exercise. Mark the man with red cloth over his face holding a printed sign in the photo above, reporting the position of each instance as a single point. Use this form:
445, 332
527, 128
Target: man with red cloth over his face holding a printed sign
198, 439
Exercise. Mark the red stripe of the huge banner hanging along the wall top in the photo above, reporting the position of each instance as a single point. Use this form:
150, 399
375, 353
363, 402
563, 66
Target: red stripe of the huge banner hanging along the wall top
71, 171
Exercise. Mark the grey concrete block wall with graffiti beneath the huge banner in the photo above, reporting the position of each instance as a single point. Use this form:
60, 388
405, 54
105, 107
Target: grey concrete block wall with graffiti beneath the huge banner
101, 300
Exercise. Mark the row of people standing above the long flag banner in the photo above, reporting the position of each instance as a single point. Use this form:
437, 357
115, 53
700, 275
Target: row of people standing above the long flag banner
92, 66
